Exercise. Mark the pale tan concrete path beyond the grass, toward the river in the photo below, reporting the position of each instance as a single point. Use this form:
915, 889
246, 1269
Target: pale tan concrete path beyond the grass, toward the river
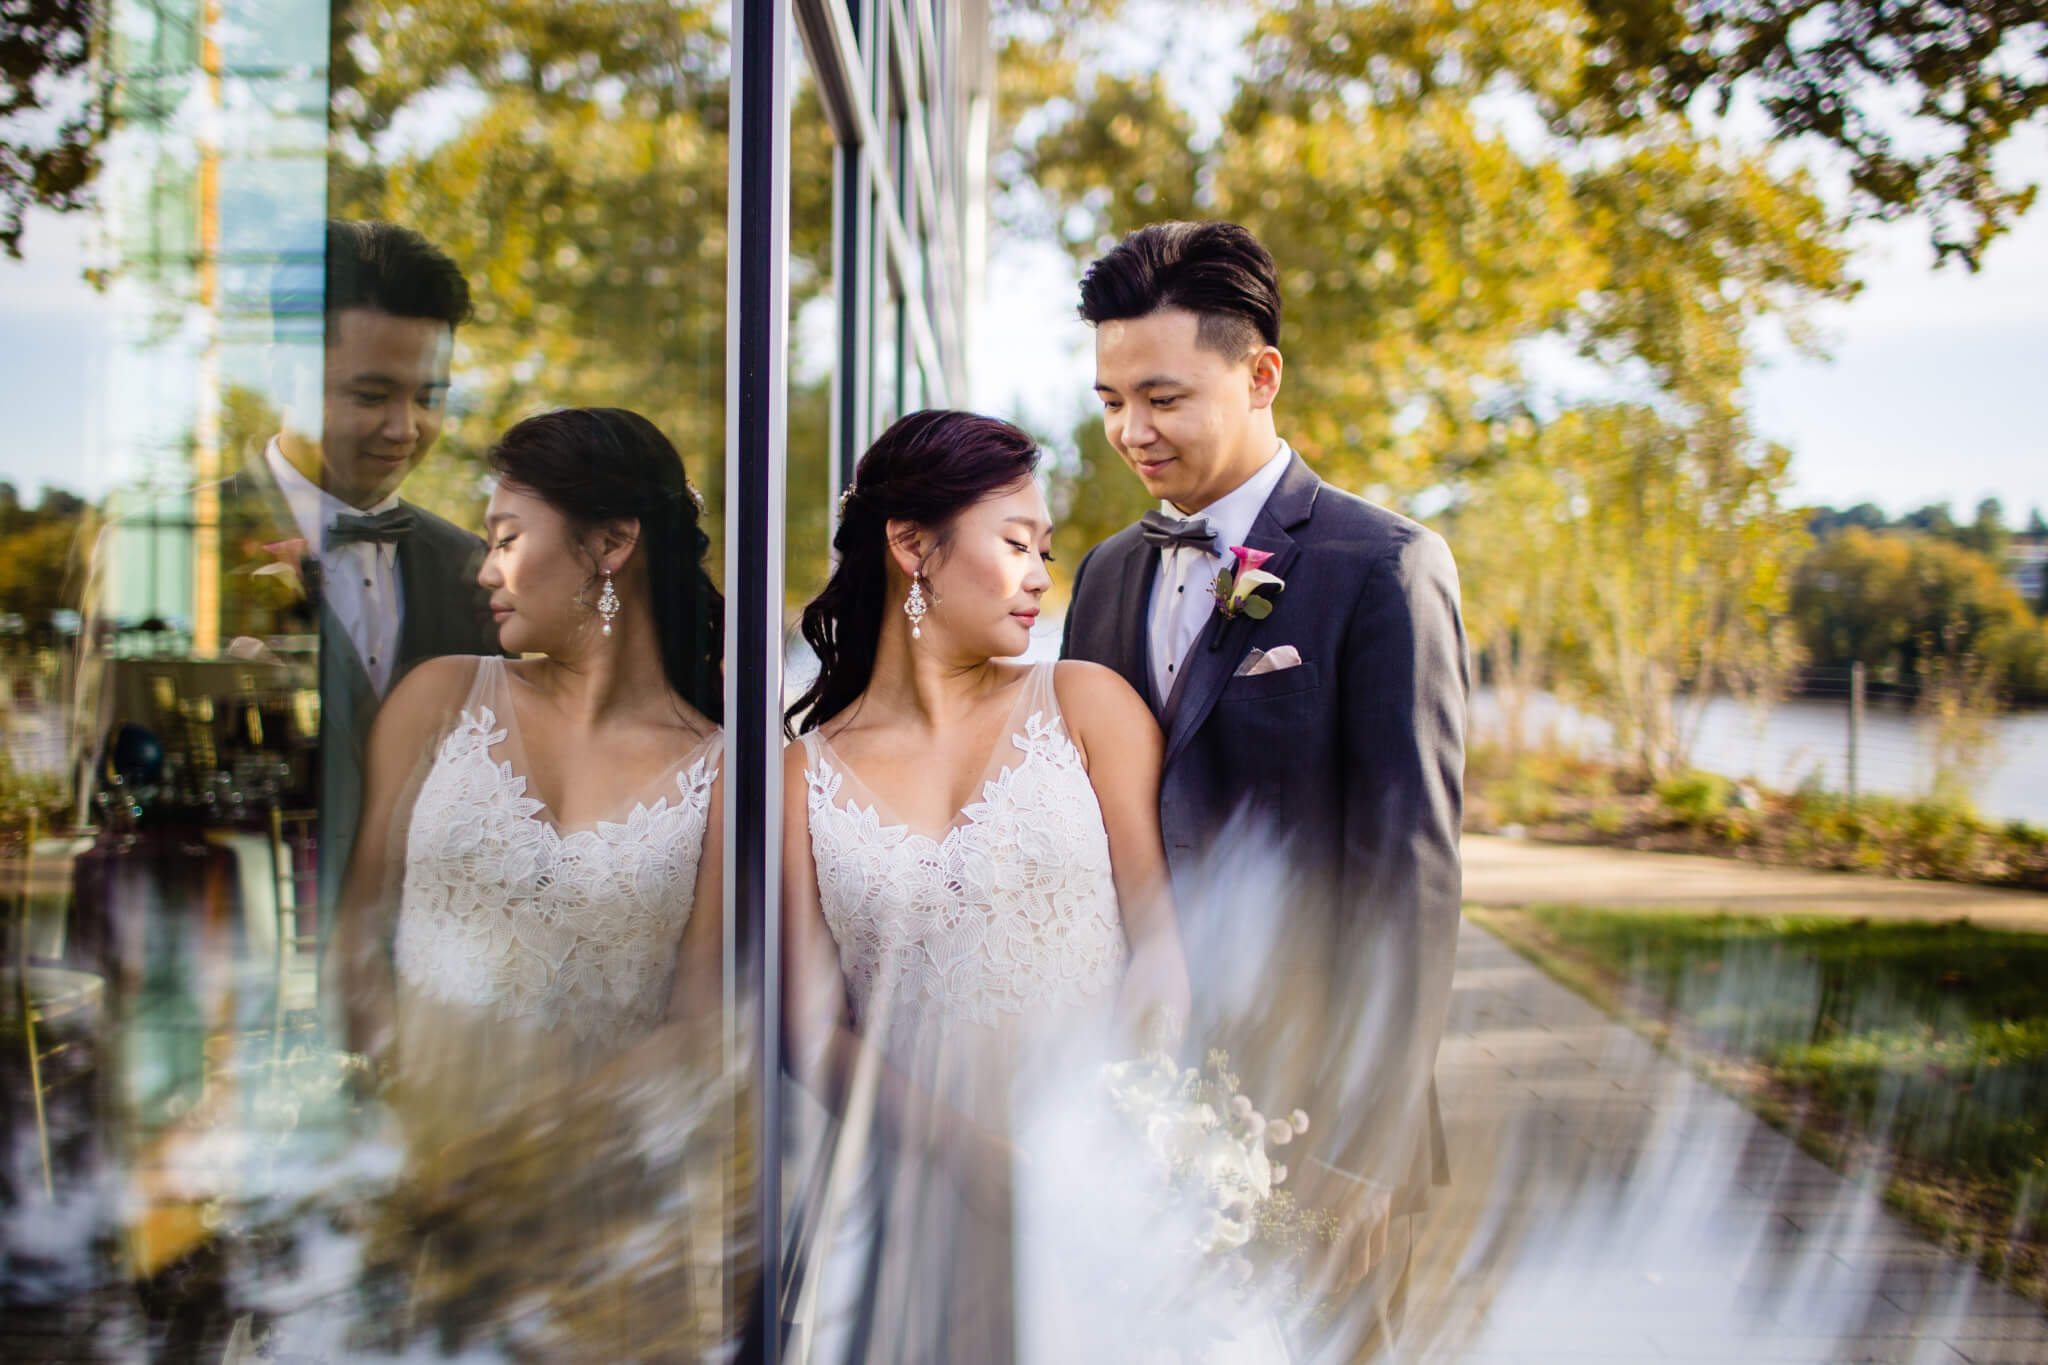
1510, 873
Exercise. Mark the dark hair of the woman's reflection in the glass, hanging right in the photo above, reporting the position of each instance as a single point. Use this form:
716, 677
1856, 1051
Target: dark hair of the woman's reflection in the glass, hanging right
605, 464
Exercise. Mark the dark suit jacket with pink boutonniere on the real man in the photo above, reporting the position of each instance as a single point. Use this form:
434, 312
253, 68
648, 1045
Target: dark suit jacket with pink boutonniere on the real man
1351, 766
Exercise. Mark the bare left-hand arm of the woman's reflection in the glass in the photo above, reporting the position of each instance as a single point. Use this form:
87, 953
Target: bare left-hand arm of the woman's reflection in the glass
357, 971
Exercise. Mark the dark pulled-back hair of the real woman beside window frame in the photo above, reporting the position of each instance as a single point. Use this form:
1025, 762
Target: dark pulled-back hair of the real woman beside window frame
925, 470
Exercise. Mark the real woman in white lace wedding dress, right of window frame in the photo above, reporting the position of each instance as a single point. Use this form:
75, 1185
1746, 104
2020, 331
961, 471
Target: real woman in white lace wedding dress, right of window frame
974, 877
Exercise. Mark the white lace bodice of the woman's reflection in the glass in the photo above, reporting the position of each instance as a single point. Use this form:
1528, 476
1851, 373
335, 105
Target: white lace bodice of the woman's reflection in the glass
507, 914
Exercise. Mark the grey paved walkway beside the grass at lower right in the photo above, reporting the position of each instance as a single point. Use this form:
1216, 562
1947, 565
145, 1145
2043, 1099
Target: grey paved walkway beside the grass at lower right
1607, 1206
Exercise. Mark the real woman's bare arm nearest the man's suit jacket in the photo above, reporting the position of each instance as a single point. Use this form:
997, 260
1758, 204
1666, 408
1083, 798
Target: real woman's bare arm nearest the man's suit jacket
1123, 752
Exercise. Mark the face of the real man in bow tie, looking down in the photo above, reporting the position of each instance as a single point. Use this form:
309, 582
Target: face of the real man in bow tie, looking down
1179, 412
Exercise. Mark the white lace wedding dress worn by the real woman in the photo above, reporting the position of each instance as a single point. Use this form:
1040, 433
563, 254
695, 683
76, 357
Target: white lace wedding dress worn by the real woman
972, 955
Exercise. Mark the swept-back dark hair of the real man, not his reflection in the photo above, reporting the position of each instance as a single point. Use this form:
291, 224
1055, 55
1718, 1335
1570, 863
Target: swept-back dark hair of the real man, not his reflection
1215, 271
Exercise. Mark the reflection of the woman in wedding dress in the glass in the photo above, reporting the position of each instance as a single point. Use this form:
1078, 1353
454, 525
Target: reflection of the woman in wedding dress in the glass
536, 891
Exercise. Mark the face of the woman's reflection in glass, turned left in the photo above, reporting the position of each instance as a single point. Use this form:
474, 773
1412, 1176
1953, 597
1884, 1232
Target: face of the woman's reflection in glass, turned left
538, 572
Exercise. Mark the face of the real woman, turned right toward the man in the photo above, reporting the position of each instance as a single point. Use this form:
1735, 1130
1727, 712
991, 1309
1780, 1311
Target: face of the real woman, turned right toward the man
992, 574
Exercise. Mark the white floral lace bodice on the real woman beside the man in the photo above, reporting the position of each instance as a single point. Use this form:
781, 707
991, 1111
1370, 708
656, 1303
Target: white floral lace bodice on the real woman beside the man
1011, 914
